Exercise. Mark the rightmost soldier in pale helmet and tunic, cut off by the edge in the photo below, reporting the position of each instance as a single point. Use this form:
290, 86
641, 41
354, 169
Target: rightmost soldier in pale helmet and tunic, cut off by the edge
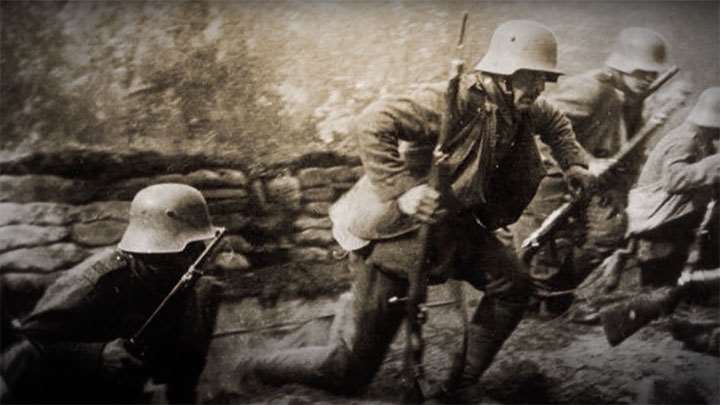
678, 179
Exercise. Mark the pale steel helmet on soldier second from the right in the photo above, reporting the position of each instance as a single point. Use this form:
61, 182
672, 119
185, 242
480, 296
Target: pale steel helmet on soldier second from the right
638, 49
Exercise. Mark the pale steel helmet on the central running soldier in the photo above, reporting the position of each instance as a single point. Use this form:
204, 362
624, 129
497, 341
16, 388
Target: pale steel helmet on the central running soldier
520, 44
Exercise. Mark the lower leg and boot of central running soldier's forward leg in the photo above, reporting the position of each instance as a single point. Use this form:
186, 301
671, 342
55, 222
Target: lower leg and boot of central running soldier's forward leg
485, 339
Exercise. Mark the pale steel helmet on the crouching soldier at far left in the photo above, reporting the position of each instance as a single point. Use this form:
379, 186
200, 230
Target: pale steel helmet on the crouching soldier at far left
164, 218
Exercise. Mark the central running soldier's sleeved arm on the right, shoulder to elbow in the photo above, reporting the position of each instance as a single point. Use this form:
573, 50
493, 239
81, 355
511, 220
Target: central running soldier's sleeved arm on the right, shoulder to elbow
556, 131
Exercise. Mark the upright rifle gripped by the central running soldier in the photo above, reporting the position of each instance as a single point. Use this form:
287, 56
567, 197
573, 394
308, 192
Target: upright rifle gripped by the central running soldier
414, 376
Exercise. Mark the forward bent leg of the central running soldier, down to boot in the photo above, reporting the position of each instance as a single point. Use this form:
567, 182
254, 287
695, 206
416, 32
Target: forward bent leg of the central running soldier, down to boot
495, 268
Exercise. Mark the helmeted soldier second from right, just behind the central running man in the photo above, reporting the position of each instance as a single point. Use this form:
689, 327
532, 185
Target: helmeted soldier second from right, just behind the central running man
605, 107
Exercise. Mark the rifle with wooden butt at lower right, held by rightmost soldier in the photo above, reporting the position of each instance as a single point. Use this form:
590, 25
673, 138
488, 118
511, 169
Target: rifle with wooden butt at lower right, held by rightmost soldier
622, 320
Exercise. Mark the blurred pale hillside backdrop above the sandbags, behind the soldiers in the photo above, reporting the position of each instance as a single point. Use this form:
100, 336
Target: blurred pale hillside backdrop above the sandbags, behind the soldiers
270, 81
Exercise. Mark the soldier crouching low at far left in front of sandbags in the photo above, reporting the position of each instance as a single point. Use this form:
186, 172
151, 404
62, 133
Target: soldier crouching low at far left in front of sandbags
74, 344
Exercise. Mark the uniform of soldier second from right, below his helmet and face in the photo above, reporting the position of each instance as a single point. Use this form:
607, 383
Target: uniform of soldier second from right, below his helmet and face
603, 118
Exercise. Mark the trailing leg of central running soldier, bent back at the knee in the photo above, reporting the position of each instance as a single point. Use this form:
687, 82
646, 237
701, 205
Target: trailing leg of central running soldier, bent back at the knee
346, 367
